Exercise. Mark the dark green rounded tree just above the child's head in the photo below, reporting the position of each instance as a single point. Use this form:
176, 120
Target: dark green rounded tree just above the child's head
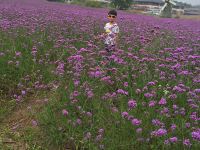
121, 4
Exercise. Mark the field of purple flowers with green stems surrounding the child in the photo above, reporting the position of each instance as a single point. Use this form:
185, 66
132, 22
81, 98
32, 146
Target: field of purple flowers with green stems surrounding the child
146, 98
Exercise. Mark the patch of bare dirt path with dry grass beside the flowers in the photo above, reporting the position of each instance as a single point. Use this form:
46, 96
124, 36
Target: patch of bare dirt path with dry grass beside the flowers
12, 128
